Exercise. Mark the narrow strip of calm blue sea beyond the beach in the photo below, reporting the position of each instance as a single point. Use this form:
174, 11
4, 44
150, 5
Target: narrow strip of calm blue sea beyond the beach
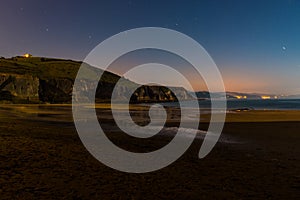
271, 104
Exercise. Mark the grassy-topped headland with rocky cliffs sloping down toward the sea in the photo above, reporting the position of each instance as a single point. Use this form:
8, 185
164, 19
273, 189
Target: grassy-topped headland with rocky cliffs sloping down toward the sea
50, 80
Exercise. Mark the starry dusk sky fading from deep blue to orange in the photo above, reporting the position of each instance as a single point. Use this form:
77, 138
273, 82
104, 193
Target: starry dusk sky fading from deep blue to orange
256, 44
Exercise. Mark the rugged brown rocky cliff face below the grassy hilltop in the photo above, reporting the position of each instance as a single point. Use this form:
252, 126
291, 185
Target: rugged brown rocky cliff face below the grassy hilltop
29, 89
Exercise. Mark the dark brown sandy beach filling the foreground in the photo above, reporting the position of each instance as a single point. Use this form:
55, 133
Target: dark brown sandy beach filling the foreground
42, 157
